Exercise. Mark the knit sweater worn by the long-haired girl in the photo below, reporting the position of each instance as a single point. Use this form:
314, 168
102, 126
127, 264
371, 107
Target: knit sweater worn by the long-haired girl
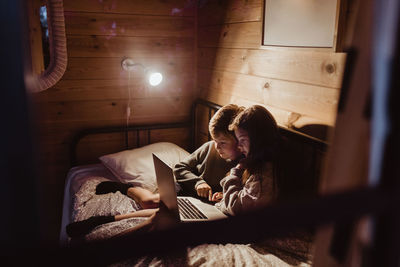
257, 192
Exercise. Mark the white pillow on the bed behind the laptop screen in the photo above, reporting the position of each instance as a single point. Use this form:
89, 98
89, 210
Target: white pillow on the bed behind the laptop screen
136, 166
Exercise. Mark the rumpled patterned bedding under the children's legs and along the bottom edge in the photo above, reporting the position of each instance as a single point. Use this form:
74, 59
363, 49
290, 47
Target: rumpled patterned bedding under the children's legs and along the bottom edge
291, 251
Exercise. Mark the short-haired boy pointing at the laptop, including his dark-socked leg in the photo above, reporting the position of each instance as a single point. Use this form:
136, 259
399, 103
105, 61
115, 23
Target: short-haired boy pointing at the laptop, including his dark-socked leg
200, 173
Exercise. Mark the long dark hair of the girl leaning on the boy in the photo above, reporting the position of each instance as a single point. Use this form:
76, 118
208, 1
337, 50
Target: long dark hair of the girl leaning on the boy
263, 133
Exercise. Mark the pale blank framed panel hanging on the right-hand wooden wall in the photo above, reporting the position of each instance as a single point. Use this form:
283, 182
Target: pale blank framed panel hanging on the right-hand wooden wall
300, 23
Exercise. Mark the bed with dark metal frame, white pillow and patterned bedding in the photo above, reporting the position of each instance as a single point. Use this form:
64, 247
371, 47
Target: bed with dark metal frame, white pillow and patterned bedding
135, 166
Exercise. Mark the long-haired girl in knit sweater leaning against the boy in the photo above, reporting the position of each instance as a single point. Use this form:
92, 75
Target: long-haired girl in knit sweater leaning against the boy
252, 183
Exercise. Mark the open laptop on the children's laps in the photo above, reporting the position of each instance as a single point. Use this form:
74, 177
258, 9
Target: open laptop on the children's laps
188, 209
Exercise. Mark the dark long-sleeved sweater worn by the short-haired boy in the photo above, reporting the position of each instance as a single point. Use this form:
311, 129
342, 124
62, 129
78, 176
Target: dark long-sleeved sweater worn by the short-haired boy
203, 165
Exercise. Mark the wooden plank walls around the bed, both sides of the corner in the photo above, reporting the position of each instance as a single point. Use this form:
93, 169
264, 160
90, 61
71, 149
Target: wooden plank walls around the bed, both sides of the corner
219, 43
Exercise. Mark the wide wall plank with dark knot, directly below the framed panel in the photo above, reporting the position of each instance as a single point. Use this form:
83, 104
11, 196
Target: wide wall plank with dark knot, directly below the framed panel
317, 68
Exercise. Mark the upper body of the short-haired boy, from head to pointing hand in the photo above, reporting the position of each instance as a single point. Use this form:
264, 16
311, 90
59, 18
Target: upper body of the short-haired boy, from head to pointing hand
200, 173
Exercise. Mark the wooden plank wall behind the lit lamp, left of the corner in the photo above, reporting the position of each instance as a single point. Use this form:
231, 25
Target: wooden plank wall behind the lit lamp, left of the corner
94, 90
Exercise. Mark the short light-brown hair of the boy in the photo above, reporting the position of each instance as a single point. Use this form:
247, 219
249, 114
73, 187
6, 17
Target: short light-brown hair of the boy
219, 123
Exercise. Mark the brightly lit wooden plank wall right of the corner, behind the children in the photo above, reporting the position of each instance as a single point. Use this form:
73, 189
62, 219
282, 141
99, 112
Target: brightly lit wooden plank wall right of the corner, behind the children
299, 86
